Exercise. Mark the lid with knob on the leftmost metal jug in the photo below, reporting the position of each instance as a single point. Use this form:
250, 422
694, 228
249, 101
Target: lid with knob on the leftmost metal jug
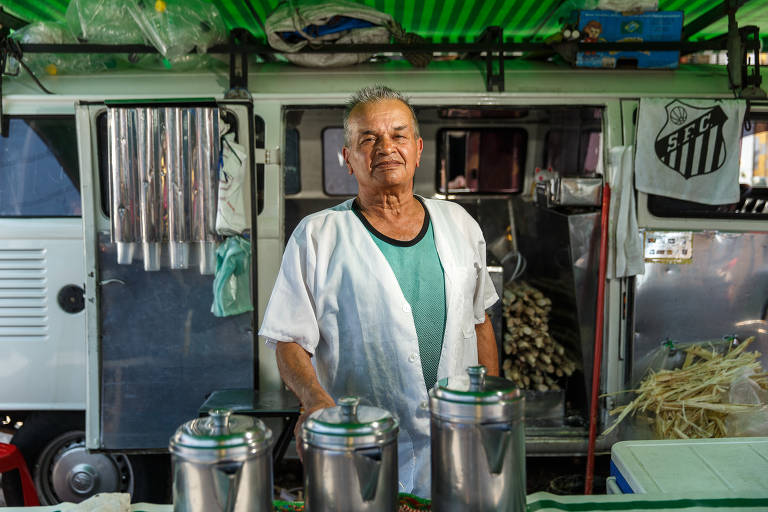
221, 430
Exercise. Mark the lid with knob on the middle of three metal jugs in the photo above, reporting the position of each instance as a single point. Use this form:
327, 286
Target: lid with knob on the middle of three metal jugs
350, 424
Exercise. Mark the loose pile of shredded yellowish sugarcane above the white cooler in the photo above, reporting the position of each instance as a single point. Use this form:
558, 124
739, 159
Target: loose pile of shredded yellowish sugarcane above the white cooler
692, 401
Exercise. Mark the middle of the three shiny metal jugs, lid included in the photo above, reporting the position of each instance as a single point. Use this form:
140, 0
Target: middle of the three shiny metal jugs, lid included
350, 459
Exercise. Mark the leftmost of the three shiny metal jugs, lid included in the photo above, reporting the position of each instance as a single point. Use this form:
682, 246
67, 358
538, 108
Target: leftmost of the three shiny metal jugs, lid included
222, 463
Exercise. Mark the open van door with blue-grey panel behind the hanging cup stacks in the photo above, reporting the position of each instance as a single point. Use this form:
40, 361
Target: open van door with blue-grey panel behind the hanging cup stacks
155, 350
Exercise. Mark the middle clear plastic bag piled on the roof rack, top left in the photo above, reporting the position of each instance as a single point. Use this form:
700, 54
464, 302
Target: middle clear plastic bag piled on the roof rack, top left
102, 21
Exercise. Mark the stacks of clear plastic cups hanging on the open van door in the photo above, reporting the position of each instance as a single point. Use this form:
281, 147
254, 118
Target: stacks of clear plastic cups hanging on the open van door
163, 165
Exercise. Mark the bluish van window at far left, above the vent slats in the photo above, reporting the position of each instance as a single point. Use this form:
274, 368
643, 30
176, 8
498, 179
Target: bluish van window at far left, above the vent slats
39, 175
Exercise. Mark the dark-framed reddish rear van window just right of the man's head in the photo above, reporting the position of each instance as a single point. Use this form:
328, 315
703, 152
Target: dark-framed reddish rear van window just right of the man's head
481, 159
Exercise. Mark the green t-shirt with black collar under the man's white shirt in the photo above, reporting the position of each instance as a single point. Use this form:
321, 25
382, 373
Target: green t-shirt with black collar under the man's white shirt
419, 273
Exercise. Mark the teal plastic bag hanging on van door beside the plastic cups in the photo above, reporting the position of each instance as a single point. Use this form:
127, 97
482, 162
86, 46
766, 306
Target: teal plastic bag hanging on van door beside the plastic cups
232, 283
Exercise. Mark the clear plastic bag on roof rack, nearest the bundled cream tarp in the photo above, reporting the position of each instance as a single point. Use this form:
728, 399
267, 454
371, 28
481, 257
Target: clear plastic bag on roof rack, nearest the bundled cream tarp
177, 27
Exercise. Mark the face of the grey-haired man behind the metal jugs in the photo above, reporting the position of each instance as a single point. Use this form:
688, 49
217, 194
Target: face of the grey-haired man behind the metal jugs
383, 150
